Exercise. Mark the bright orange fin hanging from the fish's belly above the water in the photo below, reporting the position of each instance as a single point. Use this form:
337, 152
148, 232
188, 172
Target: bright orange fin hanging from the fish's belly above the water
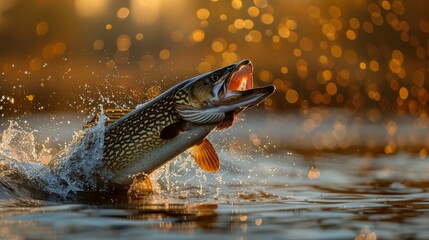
206, 156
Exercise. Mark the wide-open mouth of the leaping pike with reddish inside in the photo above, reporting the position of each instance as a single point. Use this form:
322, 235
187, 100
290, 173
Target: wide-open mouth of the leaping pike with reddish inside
239, 92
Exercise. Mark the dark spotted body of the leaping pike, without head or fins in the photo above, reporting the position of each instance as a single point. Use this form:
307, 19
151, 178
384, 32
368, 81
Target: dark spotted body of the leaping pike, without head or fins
133, 142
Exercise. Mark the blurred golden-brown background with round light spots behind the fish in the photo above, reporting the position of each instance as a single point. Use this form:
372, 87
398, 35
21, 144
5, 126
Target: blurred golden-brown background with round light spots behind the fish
352, 63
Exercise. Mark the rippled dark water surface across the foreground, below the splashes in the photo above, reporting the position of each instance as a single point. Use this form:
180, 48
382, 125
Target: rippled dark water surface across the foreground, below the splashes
302, 209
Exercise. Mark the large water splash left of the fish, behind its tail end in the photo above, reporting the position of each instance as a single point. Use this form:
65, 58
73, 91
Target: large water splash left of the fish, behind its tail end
25, 173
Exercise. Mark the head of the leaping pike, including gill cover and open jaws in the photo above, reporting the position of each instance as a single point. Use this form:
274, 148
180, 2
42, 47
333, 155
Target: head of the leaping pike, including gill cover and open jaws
208, 98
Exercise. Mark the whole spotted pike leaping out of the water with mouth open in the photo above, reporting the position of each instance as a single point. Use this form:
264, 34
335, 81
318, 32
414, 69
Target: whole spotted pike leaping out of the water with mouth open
139, 141
